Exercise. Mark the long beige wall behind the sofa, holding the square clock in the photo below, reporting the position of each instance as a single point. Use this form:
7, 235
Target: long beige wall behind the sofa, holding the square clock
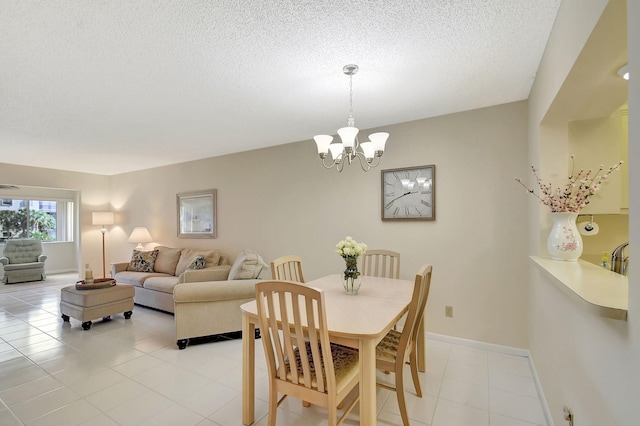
281, 201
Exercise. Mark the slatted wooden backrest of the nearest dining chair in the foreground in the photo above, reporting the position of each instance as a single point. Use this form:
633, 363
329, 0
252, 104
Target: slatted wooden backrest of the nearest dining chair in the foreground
289, 313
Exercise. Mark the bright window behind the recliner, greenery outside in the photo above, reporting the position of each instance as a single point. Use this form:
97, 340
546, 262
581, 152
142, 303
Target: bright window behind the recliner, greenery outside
46, 220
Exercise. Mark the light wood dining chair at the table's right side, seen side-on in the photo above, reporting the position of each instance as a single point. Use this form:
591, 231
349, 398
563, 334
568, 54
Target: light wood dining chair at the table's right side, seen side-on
399, 347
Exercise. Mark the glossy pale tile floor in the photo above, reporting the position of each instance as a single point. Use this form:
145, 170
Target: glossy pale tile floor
130, 372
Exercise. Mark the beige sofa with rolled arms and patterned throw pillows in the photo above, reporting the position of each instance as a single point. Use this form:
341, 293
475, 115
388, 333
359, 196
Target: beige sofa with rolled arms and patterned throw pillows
204, 301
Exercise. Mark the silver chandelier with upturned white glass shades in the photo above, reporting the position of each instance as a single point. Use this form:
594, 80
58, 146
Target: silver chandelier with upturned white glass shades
345, 152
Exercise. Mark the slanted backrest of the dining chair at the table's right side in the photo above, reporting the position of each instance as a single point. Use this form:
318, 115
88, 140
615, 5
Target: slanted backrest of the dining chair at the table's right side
416, 308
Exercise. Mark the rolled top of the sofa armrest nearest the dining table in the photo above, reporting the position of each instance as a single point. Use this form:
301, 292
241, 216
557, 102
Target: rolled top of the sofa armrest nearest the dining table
214, 291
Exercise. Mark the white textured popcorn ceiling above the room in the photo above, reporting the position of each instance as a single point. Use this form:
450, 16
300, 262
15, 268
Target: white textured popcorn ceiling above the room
111, 86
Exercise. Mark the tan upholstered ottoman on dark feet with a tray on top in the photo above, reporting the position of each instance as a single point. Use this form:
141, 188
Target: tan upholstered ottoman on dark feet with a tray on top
86, 305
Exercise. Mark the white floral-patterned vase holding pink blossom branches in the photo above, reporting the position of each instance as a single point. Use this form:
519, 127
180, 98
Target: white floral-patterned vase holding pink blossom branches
564, 242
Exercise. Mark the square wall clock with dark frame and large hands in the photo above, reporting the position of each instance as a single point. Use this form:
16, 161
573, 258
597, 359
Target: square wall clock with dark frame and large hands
408, 193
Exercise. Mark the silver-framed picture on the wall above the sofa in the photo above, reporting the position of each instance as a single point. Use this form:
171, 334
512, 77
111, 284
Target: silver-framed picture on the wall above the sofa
197, 214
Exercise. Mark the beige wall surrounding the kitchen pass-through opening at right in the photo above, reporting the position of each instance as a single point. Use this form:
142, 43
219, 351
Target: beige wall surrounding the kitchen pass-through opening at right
585, 362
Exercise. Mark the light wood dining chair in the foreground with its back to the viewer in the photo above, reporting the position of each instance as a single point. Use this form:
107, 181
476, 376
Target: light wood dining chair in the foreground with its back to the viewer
319, 372
